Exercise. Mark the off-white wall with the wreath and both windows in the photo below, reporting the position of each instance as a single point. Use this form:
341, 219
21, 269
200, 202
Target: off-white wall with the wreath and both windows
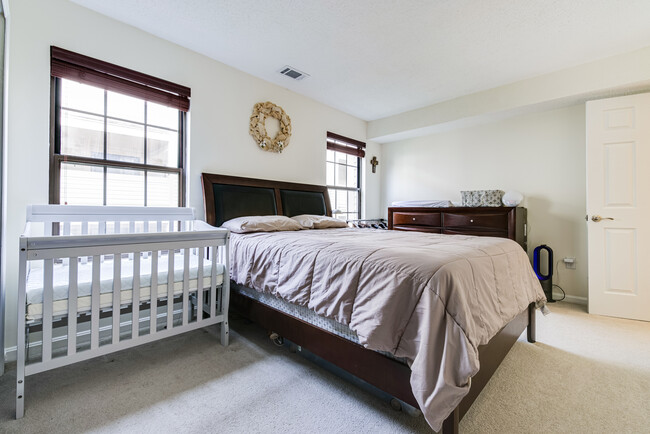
221, 105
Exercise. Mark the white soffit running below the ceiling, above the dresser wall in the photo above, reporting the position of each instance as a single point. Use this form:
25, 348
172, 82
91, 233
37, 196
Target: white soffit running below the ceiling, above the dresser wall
617, 75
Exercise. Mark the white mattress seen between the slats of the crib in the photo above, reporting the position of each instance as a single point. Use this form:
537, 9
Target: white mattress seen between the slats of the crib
84, 283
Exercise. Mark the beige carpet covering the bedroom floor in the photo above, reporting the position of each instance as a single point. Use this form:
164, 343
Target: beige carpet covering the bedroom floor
586, 374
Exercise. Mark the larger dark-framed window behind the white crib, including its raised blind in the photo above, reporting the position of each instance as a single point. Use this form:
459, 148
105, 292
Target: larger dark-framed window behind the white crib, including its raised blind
118, 135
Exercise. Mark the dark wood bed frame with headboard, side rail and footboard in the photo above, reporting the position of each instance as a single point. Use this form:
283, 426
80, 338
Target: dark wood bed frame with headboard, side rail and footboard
227, 197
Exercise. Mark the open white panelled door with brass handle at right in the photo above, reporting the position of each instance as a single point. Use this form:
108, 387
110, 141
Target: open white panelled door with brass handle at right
618, 206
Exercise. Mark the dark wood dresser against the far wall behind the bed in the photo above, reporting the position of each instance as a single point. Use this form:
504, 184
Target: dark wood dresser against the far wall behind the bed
506, 222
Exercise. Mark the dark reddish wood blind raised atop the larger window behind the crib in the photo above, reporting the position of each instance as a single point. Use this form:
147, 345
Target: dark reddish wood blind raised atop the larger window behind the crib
84, 69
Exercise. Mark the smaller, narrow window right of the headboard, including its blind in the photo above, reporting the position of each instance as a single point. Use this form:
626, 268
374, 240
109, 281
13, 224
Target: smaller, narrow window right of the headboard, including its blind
344, 175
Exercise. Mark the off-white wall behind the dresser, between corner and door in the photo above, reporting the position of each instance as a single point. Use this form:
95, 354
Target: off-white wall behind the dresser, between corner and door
541, 155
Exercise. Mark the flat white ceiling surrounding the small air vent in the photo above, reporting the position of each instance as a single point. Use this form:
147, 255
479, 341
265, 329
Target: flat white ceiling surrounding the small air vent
377, 58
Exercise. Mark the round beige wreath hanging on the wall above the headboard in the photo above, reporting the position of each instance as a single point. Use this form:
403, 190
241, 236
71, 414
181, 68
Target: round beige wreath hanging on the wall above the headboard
261, 111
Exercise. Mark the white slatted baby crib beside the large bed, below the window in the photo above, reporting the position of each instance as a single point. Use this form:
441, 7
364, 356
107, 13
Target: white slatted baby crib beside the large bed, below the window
87, 275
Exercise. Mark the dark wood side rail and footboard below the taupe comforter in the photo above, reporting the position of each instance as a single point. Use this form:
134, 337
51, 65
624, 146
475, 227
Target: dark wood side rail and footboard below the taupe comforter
383, 372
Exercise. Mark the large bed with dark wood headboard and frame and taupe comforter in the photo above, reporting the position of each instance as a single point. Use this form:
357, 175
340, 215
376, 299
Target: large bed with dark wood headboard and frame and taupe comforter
437, 333
